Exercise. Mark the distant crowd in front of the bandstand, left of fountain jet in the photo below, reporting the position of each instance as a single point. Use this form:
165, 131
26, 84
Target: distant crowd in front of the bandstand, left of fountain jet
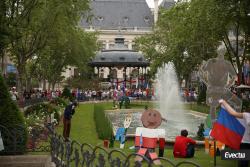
85, 95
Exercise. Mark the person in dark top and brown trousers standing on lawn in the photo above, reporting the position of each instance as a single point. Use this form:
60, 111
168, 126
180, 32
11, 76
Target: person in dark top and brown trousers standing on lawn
68, 112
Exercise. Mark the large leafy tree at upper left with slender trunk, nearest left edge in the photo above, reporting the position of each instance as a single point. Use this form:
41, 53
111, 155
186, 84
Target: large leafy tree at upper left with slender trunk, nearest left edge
31, 24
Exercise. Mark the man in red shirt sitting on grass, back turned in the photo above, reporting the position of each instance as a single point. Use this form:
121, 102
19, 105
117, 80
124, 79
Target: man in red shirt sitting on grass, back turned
184, 146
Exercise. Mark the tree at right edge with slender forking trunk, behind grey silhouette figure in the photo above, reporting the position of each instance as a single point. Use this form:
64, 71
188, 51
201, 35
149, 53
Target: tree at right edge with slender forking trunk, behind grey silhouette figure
236, 31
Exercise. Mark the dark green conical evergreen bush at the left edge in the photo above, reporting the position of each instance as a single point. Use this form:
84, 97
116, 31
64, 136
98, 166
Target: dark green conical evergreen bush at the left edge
12, 119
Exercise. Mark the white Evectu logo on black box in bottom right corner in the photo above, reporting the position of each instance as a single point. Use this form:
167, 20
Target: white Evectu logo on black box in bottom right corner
235, 154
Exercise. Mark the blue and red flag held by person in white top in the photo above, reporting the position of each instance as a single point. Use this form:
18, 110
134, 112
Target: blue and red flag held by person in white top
228, 130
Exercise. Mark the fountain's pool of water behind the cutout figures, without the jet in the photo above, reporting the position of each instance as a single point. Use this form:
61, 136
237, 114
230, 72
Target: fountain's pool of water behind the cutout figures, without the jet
173, 127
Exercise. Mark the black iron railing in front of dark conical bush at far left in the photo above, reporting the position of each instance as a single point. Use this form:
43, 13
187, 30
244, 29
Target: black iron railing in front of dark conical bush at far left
19, 140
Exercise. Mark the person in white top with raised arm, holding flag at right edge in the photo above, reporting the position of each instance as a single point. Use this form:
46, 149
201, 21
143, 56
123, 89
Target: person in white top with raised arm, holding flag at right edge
244, 118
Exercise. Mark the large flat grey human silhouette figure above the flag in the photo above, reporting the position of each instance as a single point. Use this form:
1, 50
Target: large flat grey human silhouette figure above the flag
219, 75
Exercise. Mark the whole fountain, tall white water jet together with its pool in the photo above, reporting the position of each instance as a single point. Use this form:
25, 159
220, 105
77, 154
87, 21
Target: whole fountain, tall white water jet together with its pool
170, 107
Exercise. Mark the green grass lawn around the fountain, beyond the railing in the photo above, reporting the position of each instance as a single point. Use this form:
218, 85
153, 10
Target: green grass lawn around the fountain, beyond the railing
83, 130
